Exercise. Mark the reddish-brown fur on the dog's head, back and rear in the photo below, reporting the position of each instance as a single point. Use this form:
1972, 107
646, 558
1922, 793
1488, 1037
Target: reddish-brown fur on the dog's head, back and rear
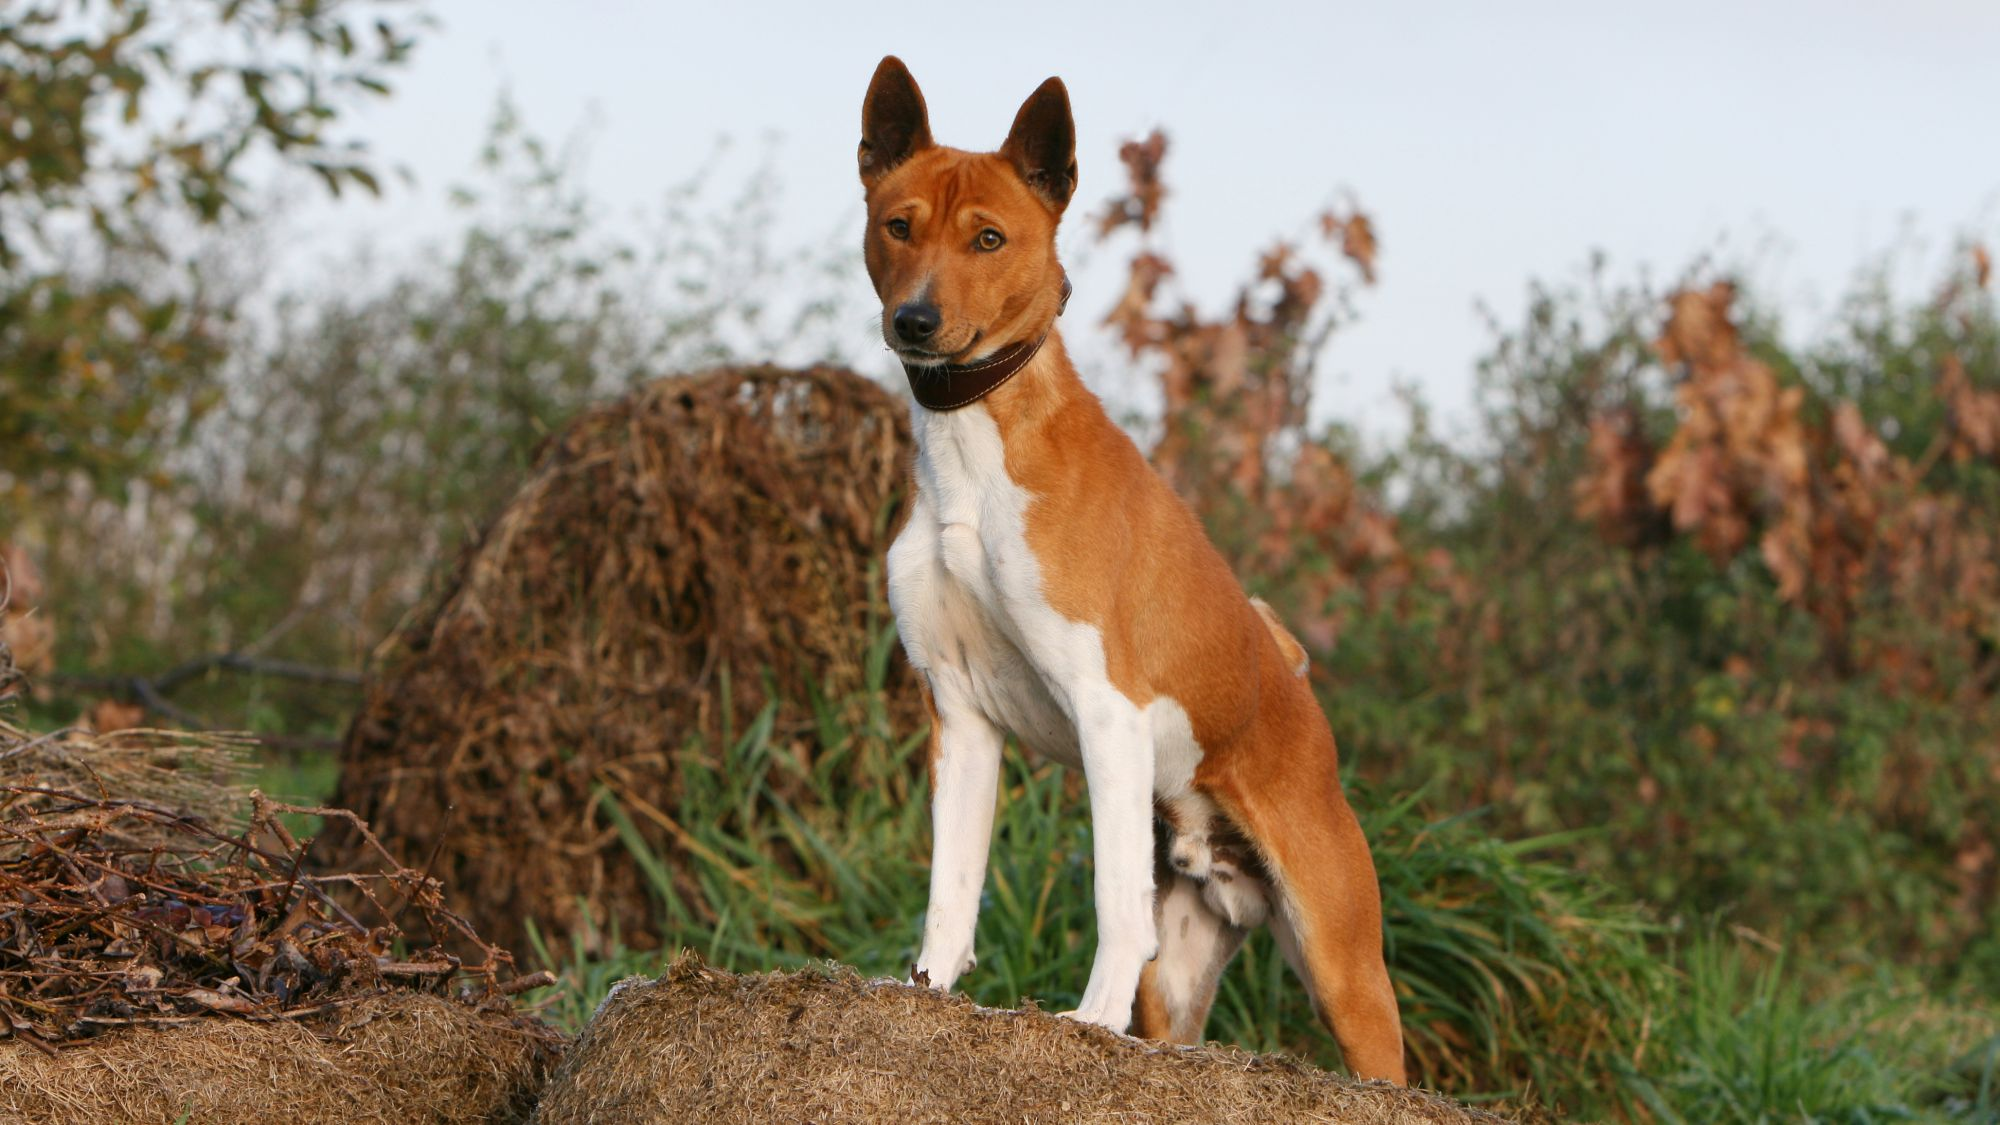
1121, 551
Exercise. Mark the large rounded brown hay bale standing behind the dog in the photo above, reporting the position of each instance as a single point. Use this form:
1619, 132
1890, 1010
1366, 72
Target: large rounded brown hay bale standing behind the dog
673, 564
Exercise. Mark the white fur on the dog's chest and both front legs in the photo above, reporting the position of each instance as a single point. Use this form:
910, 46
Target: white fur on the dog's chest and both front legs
975, 618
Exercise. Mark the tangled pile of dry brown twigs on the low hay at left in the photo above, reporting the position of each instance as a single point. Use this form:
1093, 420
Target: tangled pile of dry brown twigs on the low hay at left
121, 912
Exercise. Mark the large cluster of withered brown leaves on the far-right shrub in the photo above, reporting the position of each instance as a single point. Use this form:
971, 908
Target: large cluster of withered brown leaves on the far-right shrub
1829, 507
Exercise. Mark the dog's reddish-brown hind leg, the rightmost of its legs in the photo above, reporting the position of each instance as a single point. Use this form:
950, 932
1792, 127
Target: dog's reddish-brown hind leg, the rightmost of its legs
1329, 910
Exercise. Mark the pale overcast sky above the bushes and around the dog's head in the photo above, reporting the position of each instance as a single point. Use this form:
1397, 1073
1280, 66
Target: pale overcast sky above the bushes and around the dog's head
1491, 143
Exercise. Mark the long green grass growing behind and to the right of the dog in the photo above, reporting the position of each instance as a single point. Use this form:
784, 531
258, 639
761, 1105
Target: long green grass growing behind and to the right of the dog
1519, 978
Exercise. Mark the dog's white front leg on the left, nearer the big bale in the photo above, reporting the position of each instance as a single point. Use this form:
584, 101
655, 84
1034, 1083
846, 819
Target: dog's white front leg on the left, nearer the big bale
965, 780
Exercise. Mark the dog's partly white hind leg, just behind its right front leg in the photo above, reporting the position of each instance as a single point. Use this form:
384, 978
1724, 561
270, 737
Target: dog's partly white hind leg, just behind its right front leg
1179, 986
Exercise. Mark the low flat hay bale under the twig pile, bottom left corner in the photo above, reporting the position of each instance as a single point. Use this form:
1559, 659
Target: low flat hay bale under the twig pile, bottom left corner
403, 1058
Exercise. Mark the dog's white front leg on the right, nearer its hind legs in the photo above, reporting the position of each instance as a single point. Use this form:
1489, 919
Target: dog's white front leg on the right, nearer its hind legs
1117, 748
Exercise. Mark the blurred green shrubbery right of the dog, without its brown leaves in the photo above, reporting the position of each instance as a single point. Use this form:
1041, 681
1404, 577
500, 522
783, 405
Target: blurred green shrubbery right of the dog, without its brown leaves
1825, 778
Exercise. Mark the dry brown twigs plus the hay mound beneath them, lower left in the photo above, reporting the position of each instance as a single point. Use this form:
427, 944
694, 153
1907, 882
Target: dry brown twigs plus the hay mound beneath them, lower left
157, 962
